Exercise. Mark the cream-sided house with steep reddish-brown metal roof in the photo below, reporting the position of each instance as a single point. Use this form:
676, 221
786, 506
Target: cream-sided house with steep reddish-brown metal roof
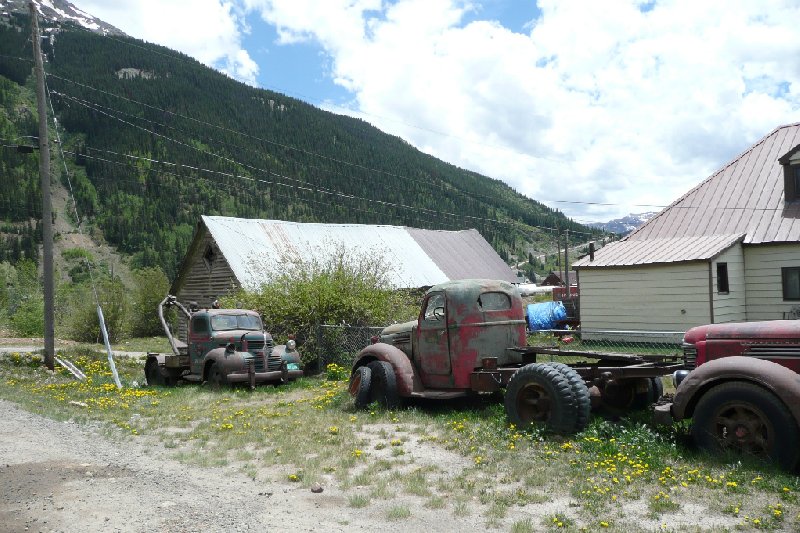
728, 250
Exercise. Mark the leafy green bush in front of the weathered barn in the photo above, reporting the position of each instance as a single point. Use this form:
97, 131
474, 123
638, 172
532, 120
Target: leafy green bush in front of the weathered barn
345, 289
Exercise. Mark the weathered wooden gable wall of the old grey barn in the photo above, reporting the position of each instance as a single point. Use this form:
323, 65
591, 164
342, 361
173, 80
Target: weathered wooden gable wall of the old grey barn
203, 284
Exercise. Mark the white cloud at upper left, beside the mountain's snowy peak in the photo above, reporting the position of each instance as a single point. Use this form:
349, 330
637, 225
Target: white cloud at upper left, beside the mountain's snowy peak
208, 30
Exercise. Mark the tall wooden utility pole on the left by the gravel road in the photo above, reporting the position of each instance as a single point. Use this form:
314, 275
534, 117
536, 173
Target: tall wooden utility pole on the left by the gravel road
47, 215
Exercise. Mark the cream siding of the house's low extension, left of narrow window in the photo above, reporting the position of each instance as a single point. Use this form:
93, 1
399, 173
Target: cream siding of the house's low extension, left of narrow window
670, 297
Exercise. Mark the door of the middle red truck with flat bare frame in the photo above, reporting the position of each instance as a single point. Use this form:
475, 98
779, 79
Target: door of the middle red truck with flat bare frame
433, 343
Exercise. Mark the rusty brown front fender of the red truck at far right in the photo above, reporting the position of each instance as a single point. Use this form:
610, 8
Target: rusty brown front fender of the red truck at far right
781, 381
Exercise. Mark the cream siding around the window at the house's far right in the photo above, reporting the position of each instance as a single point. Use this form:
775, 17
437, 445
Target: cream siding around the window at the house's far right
764, 286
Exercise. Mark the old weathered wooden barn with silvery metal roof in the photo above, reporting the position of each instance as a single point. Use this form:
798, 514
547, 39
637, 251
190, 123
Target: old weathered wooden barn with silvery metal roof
229, 253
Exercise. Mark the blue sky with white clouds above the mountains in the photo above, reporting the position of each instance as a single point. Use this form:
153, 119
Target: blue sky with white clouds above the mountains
598, 109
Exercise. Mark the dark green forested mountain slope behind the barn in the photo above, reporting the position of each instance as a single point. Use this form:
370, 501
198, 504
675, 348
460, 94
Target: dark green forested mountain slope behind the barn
153, 139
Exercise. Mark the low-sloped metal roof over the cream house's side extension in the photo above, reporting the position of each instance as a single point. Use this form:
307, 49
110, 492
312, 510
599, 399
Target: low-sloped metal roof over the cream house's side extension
661, 250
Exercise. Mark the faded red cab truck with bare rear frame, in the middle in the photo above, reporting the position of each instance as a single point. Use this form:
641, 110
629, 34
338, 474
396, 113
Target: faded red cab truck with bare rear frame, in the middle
470, 338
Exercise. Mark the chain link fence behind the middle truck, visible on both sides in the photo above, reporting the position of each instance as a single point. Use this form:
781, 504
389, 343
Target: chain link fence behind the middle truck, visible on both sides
340, 344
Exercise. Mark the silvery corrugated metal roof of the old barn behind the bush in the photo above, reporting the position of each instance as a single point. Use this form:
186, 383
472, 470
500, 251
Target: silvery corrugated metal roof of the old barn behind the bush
255, 248
